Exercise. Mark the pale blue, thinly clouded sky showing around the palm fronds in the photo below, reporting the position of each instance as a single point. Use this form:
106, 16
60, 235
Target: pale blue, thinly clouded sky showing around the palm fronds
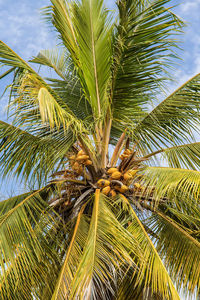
22, 28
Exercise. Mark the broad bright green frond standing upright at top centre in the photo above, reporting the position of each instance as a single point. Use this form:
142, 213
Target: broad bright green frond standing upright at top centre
86, 23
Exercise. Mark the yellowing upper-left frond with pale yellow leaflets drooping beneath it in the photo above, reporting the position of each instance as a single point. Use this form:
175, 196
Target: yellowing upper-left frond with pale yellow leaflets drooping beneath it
33, 101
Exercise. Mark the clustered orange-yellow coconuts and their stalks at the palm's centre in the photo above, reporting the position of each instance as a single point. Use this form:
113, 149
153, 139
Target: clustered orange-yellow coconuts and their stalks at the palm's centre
79, 180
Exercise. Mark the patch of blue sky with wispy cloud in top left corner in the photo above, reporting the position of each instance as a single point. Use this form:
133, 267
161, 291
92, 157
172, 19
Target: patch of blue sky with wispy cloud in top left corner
22, 29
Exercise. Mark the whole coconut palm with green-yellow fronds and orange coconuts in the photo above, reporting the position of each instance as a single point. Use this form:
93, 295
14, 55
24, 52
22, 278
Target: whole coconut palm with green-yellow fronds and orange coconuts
113, 212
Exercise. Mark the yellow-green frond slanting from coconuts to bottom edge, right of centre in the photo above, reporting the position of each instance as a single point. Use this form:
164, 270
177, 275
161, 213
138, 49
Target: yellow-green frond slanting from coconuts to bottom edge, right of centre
152, 271
